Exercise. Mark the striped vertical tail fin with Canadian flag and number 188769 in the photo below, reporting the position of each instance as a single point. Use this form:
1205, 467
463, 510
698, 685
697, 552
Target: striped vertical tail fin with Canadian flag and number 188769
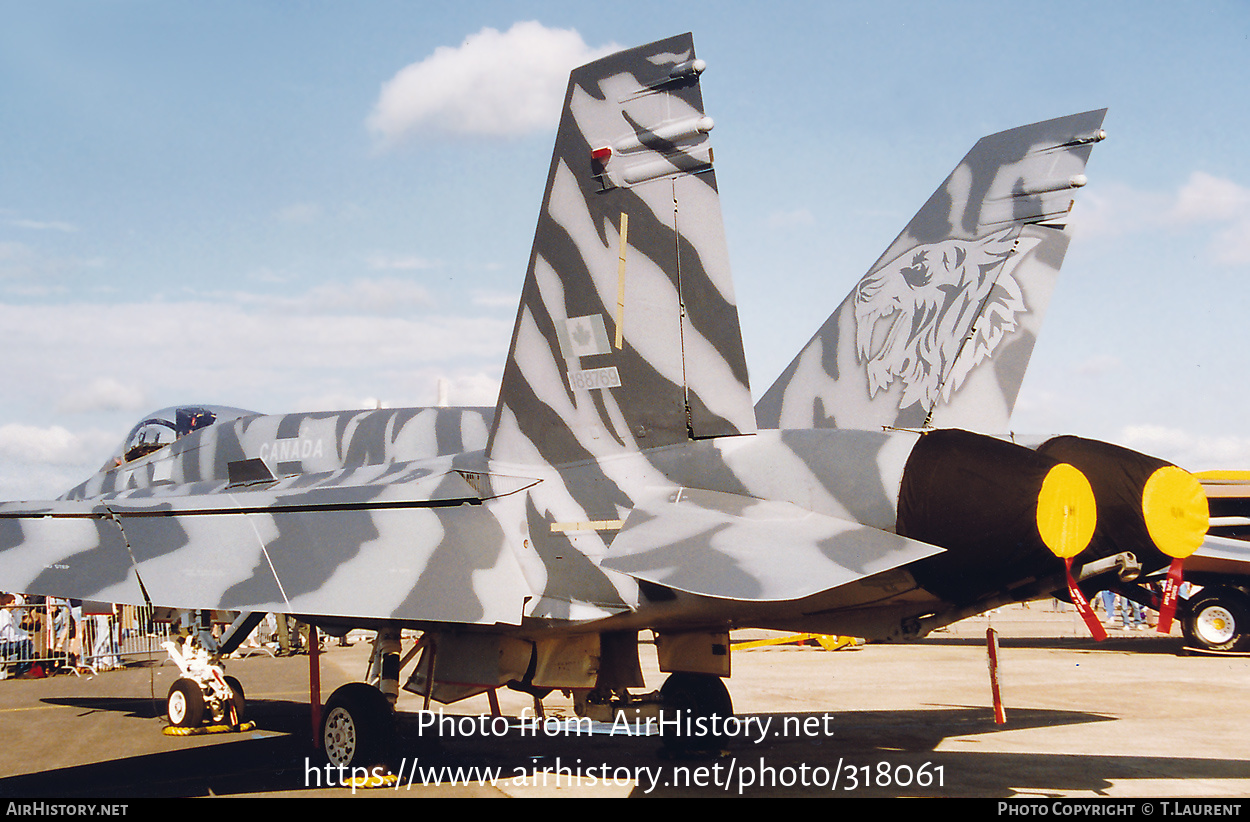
627, 337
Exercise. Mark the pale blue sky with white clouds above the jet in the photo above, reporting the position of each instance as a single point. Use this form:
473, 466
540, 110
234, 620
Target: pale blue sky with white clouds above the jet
216, 203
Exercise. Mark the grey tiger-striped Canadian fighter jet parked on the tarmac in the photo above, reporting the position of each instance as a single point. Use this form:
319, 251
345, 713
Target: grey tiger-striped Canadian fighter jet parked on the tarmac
624, 482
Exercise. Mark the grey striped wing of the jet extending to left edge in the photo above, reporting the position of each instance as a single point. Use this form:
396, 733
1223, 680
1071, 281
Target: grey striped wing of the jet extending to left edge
406, 543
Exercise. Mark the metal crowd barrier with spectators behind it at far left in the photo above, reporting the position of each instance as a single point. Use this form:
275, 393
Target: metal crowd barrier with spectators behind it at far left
57, 636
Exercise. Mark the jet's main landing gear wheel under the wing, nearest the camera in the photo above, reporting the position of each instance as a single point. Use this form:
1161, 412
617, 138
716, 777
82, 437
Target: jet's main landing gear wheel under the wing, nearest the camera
358, 728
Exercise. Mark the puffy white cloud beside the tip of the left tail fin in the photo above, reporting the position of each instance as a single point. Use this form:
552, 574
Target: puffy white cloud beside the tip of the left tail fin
494, 84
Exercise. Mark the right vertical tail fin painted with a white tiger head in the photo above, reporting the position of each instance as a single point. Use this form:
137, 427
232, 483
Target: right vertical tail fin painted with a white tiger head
941, 330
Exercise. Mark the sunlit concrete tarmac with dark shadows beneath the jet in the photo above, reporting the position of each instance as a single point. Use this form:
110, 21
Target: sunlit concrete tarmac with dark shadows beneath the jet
1127, 718
